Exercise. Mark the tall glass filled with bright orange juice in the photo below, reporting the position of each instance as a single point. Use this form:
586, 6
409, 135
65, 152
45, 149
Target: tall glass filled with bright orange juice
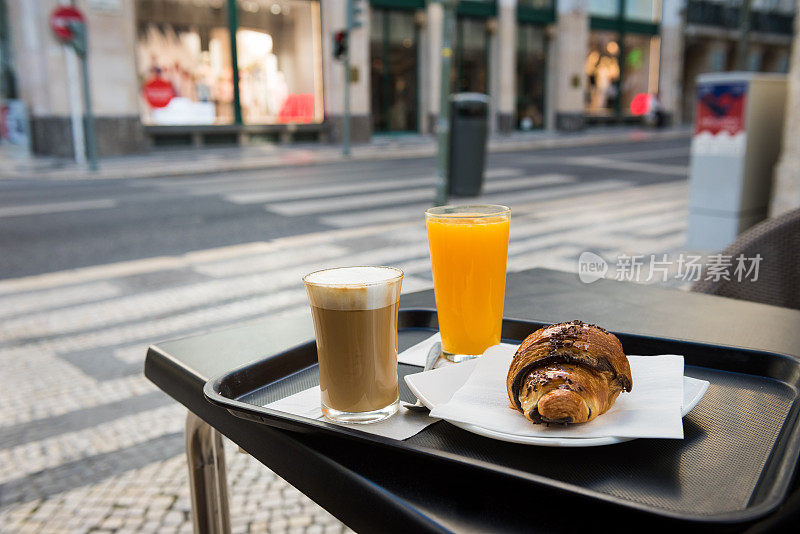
469, 250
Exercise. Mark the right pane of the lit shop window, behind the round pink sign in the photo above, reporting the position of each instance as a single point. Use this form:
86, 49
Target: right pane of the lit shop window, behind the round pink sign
640, 69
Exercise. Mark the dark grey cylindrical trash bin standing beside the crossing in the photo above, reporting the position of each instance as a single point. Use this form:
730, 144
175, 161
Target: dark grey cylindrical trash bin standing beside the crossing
467, 155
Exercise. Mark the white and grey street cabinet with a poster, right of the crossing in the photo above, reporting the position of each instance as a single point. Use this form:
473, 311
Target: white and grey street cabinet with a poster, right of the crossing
734, 149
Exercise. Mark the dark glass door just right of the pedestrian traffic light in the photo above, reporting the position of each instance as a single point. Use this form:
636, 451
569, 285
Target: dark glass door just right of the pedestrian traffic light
393, 53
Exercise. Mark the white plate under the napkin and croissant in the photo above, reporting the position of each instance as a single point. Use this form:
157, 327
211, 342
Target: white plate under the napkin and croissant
438, 386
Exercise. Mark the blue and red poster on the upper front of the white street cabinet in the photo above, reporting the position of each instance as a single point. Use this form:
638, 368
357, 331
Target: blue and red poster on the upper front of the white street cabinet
720, 107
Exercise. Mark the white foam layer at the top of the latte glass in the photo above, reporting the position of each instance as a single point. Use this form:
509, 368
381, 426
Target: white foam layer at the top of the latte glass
354, 288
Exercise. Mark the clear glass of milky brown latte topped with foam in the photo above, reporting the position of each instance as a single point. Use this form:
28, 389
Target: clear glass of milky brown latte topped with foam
355, 321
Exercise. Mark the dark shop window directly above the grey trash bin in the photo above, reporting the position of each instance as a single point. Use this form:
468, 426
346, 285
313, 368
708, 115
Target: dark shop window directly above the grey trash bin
472, 50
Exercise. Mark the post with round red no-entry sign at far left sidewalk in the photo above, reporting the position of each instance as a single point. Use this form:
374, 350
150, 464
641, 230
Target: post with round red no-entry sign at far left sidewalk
69, 27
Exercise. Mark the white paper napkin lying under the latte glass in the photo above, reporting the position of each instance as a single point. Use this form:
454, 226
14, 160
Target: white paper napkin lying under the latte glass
402, 425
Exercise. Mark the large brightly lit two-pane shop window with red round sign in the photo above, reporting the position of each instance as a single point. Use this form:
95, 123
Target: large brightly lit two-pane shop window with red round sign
185, 61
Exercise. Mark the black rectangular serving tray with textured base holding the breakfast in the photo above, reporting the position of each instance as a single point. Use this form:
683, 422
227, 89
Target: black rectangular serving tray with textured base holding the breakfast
735, 463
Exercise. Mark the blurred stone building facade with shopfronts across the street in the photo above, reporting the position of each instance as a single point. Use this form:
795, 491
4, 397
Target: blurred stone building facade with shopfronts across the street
162, 71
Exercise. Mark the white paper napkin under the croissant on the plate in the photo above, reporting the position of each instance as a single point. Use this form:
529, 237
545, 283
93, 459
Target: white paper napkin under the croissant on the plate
651, 410
